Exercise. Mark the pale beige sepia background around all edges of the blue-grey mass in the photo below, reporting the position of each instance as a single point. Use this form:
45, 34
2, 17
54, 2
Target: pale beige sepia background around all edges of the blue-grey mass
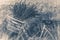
55, 3
